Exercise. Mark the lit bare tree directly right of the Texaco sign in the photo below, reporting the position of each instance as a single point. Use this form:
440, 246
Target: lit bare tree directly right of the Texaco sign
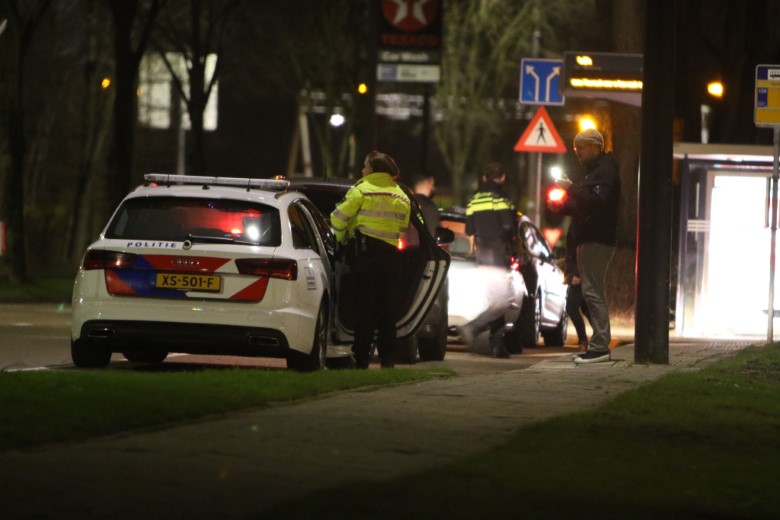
483, 43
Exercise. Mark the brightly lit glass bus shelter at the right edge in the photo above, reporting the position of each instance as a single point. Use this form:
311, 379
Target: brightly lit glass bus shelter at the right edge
724, 241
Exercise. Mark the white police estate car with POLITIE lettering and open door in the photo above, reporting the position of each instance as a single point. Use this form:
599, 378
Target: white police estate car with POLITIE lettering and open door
214, 265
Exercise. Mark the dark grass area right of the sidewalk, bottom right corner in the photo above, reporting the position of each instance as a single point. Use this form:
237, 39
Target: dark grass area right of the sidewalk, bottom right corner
702, 444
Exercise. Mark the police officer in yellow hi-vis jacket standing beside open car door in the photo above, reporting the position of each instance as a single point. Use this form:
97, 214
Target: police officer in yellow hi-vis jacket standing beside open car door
370, 221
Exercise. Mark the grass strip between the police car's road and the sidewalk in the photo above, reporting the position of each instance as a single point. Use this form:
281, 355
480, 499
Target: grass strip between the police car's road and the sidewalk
48, 406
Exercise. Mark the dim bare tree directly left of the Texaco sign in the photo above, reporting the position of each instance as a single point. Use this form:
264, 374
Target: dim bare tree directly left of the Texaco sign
319, 54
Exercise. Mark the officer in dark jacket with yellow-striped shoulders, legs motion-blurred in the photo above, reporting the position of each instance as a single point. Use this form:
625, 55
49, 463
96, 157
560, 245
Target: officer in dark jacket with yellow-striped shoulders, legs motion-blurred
492, 220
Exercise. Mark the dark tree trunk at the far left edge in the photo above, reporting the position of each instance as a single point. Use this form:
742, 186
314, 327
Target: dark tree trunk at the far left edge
23, 19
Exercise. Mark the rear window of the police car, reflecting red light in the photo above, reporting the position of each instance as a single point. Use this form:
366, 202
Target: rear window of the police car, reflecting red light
179, 219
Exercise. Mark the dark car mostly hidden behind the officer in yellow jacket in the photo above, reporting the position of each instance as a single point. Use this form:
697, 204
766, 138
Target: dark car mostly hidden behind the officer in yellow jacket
421, 252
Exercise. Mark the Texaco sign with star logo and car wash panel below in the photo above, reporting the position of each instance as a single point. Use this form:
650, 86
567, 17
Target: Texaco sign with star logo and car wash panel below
409, 46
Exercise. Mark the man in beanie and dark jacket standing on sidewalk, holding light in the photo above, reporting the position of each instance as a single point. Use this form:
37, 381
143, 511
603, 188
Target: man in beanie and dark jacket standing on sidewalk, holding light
593, 206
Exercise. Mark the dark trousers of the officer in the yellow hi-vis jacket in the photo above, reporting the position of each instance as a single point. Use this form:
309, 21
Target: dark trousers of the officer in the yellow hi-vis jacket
378, 272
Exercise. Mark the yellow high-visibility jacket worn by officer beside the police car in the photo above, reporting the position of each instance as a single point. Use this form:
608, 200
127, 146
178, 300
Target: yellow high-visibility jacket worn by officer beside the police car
376, 206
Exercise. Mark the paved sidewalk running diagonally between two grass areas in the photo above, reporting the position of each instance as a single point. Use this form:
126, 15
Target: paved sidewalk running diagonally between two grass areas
237, 466
